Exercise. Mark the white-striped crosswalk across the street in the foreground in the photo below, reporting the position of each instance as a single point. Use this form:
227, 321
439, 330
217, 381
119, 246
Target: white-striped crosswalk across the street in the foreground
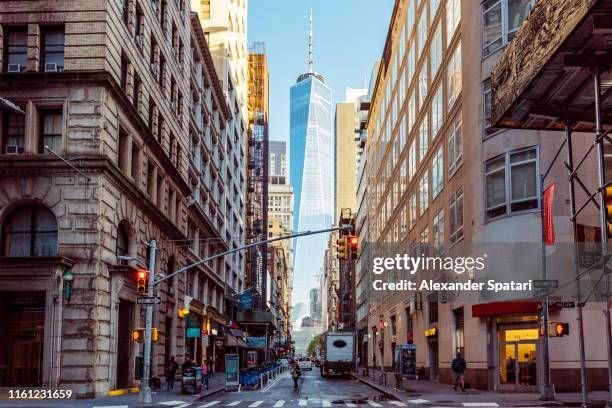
322, 403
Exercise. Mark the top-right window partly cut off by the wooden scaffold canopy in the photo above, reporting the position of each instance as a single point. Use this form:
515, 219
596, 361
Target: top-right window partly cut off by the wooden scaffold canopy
501, 20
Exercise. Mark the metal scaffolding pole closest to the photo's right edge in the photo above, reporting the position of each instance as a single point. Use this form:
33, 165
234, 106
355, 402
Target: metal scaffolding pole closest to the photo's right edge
603, 220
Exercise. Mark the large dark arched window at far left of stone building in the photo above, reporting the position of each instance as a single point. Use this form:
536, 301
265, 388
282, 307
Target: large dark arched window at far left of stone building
30, 231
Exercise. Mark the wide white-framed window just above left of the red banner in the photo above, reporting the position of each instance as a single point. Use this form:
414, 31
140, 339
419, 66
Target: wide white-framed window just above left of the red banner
512, 183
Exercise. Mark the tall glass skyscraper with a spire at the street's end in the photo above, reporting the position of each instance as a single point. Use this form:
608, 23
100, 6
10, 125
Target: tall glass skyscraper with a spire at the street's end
311, 173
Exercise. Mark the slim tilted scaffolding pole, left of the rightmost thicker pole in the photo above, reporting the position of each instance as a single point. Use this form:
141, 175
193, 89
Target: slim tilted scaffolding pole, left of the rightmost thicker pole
570, 168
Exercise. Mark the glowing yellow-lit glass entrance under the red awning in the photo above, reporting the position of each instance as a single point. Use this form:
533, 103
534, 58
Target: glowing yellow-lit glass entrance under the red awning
518, 359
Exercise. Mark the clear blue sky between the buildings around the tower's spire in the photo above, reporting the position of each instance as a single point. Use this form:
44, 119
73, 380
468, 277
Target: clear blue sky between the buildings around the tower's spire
349, 36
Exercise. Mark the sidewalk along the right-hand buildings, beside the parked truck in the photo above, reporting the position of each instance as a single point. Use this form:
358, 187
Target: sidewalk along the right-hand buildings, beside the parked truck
441, 393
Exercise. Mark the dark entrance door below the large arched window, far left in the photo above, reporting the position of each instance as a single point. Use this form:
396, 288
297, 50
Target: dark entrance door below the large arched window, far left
22, 315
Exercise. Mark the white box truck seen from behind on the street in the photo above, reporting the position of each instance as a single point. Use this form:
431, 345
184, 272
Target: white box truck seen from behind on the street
337, 353
